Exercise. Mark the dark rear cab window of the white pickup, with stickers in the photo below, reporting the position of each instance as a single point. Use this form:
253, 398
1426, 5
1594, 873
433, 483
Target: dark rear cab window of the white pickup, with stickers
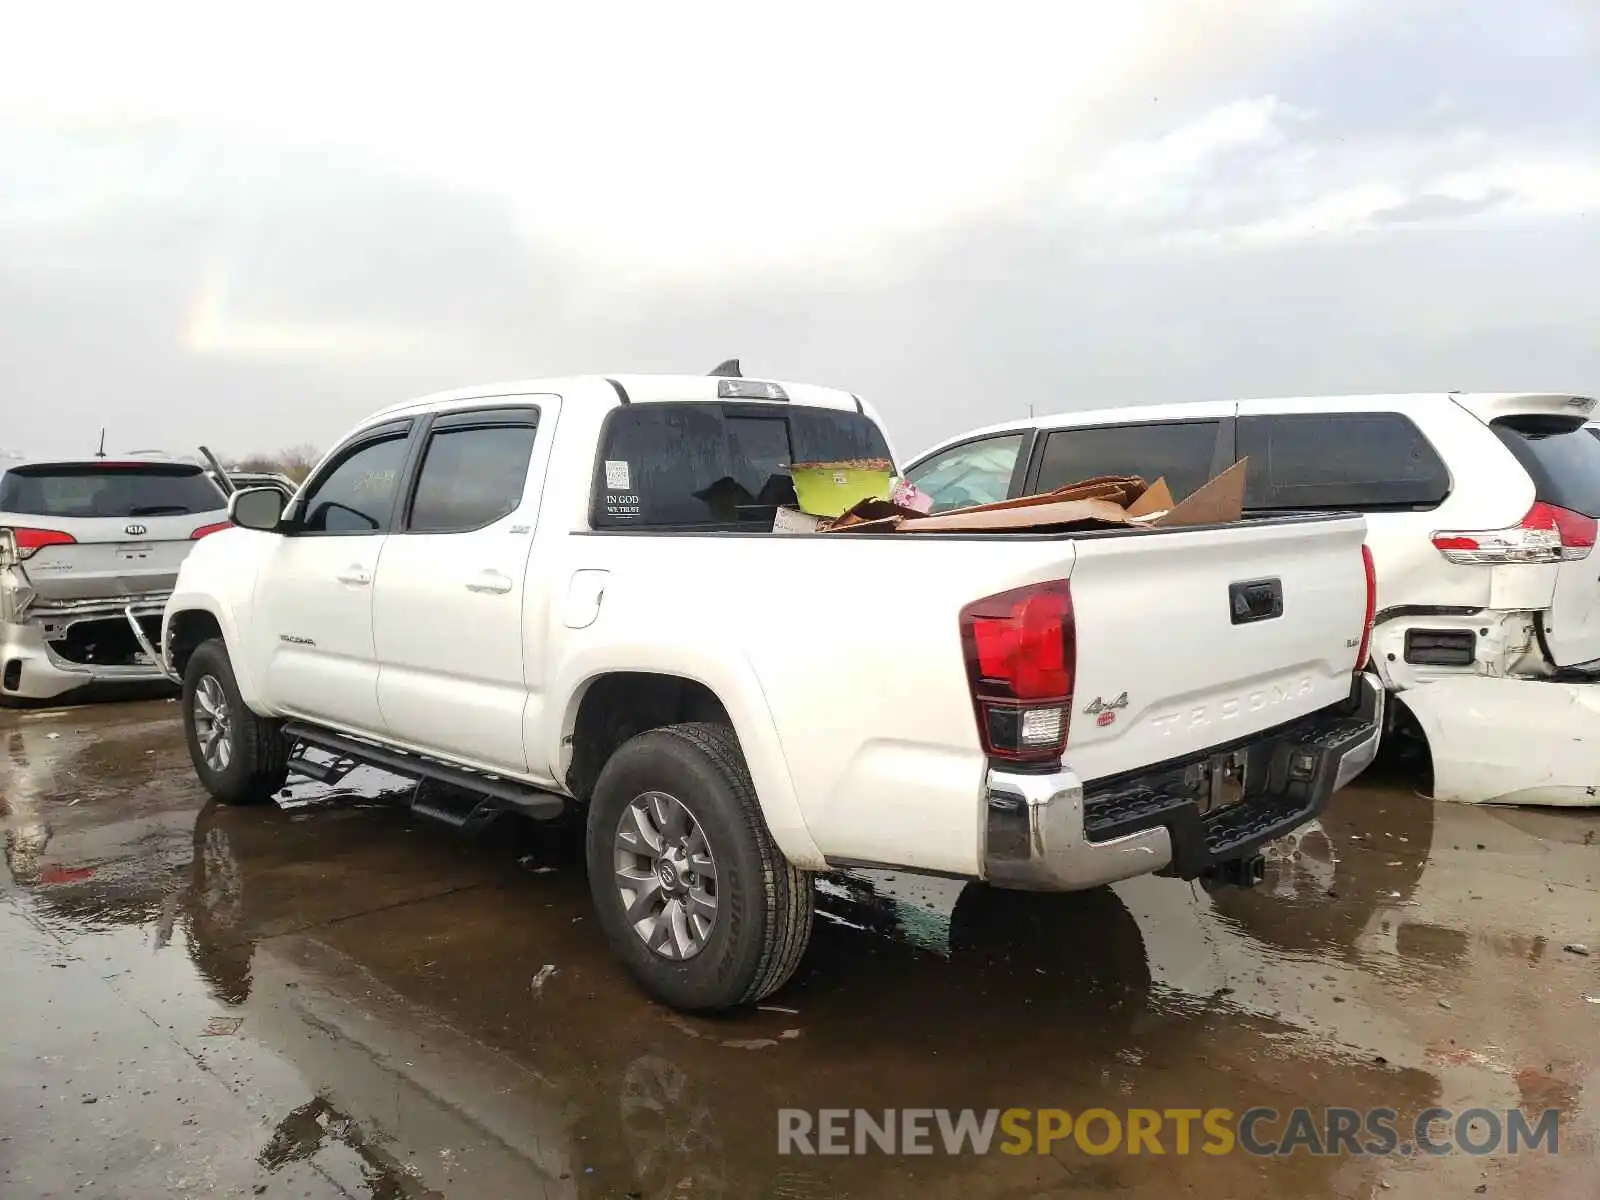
716, 465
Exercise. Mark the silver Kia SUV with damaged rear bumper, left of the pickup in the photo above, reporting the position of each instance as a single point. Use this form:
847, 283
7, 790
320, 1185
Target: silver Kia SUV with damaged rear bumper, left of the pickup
89, 554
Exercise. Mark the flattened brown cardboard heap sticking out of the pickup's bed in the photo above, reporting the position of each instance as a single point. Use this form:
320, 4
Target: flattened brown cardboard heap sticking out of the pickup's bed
1215, 503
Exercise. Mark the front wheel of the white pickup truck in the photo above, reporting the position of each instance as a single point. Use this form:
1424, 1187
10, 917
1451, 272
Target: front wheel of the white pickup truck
246, 761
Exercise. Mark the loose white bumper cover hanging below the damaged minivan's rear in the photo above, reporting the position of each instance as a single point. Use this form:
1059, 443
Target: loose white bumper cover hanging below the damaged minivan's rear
1511, 742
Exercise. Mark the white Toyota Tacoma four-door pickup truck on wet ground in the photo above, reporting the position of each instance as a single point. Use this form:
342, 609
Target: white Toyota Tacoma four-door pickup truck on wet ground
550, 598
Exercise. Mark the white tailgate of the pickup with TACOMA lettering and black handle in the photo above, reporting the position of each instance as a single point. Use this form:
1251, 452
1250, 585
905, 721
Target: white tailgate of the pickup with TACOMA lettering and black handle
1194, 639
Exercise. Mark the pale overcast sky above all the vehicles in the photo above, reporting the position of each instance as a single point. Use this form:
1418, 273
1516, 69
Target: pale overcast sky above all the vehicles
254, 233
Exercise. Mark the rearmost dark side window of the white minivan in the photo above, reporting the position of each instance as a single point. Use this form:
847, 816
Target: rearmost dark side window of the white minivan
1362, 462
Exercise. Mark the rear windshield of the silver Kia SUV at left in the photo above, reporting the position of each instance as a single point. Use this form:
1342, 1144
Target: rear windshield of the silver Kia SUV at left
108, 490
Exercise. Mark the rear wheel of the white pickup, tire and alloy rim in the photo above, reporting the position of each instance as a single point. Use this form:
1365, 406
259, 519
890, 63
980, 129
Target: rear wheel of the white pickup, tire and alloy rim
689, 886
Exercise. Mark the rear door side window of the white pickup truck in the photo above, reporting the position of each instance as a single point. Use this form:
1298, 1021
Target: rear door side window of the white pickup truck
471, 478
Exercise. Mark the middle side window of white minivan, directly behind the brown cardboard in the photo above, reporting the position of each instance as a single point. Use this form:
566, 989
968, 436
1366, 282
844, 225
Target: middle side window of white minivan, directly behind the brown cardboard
1182, 452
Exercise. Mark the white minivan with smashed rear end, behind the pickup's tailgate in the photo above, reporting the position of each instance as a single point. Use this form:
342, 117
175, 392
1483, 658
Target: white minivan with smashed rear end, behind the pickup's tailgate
1481, 518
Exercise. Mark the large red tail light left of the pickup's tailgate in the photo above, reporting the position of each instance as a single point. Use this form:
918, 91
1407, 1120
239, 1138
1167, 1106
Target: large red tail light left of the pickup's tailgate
1022, 652
